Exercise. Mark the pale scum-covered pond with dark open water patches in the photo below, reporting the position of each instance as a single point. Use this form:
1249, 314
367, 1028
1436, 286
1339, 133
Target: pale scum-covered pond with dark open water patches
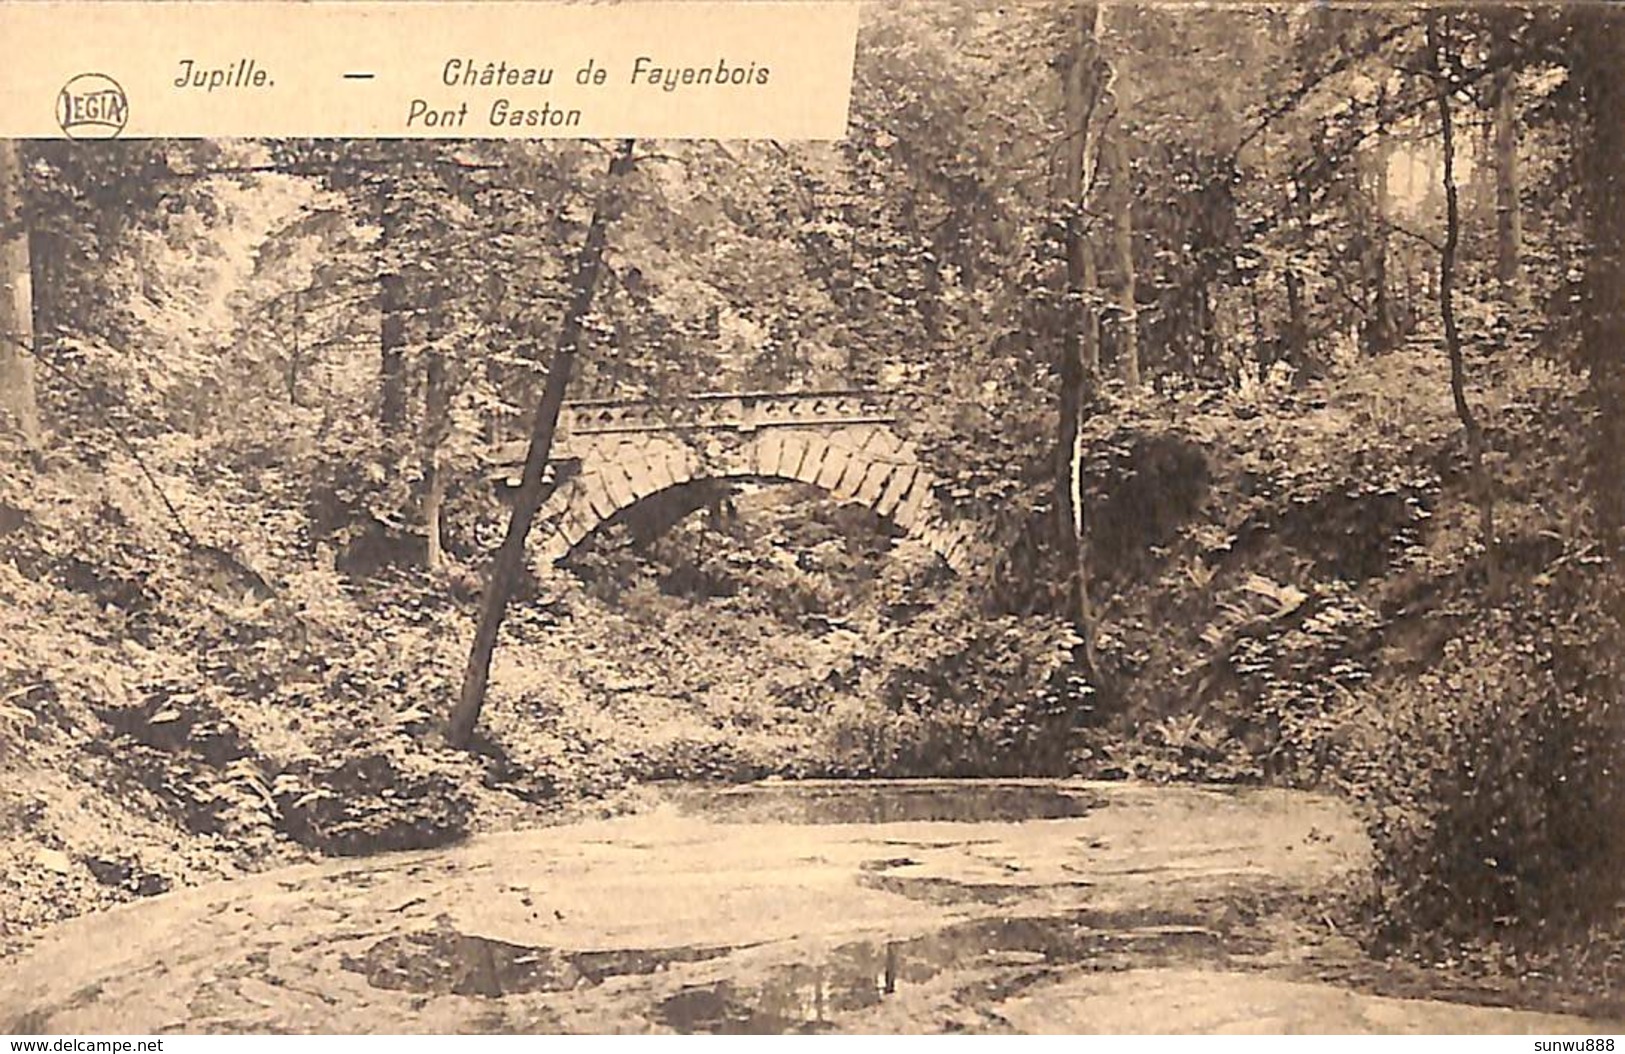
1016, 907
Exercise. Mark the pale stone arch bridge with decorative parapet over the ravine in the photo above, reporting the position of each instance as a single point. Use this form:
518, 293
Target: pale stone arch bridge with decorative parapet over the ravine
612, 456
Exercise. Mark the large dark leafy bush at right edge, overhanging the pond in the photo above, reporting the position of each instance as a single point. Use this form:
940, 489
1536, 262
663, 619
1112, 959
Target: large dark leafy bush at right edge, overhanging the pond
1496, 780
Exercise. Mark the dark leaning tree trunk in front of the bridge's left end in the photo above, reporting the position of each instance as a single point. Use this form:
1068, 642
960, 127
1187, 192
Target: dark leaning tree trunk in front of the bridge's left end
511, 556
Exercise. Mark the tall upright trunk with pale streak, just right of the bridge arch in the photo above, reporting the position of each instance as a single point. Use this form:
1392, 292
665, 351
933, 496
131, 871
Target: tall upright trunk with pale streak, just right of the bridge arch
1083, 89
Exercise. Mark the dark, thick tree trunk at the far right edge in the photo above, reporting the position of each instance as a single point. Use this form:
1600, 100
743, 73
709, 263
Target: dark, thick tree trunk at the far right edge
1601, 76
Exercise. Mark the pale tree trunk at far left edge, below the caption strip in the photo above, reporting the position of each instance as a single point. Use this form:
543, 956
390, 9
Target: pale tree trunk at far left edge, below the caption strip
17, 305
